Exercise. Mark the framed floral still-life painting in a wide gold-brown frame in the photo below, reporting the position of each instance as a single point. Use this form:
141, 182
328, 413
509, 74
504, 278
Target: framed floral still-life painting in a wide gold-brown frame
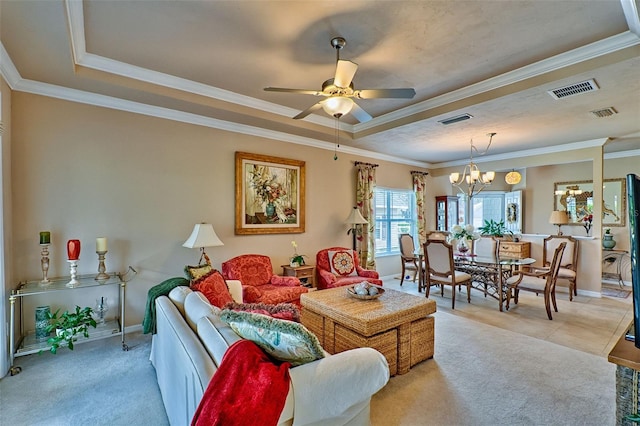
269, 194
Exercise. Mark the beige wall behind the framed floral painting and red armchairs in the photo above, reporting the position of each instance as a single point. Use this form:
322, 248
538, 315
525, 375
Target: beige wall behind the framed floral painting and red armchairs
82, 172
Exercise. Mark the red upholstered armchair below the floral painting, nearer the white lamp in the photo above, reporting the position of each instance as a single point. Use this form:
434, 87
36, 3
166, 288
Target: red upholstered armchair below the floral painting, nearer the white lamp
259, 283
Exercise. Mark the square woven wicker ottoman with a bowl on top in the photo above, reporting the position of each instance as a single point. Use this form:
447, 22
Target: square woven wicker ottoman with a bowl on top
398, 325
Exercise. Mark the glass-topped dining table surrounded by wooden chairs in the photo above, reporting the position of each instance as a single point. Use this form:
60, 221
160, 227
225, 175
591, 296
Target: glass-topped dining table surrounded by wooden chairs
489, 273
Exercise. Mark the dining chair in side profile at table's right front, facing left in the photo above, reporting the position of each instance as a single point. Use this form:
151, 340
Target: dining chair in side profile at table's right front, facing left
538, 281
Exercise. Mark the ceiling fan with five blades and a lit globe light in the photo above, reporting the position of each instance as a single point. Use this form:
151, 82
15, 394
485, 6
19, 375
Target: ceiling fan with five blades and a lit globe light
339, 90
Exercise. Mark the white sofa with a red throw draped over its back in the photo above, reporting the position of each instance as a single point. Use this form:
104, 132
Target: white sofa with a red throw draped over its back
190, 343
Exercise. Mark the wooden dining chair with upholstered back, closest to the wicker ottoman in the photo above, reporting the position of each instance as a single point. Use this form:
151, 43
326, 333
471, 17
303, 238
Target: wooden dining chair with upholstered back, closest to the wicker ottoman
440, 269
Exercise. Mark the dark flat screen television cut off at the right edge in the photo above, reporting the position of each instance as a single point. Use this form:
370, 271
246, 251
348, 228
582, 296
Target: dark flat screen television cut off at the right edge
633, 201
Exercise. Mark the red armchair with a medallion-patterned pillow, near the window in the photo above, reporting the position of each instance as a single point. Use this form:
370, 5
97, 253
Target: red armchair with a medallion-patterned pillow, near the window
346, 269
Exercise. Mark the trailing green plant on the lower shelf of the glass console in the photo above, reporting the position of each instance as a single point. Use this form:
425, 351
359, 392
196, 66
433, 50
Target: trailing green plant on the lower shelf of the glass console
68, 326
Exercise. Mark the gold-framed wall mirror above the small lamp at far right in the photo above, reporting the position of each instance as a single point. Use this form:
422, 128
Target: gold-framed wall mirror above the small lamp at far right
576, 198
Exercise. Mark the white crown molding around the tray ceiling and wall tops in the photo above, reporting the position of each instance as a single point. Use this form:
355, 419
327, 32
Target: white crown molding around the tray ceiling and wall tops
75, 19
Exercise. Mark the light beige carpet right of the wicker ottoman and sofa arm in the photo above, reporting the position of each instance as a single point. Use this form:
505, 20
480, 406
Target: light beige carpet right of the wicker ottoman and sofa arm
484, 375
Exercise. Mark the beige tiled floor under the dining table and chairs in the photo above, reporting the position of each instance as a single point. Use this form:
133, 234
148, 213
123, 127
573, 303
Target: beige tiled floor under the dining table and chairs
588, 324
